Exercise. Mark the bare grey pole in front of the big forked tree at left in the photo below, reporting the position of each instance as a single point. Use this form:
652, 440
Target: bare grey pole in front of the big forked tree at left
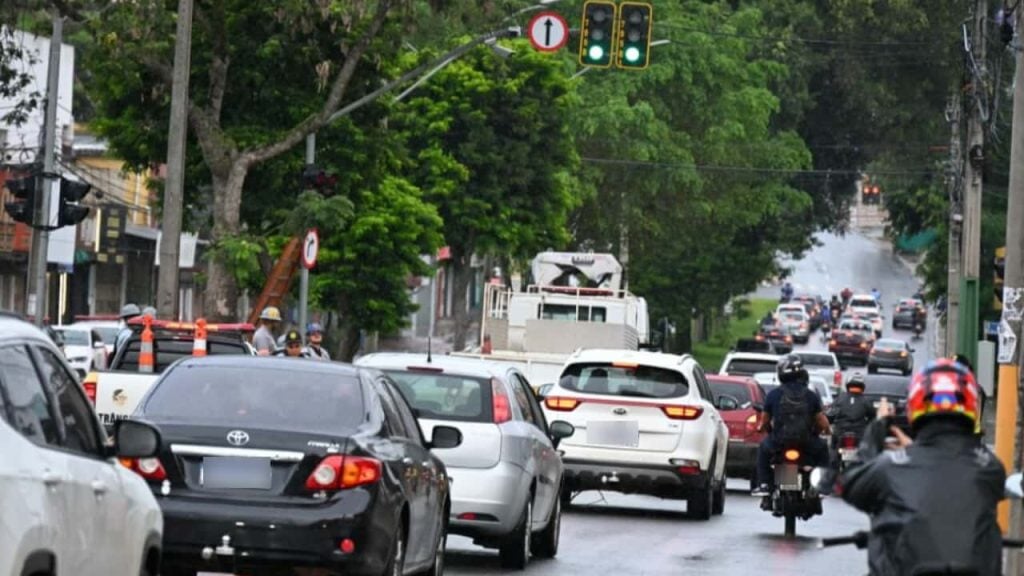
167, 281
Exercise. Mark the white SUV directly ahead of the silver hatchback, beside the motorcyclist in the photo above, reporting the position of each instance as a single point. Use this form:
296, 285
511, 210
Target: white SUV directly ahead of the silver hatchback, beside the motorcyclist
646, 423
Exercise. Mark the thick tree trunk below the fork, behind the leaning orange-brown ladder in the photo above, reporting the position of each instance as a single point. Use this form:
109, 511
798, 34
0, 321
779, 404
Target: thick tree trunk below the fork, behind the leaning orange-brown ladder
221, 300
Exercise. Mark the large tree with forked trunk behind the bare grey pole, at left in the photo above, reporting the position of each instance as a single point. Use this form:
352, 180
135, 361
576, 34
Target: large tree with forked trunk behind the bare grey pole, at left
264, 77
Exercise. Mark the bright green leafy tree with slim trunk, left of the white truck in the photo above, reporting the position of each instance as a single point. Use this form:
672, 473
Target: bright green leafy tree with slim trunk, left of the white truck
493, 144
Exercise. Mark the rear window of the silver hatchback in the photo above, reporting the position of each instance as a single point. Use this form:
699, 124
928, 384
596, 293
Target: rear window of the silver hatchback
446, 397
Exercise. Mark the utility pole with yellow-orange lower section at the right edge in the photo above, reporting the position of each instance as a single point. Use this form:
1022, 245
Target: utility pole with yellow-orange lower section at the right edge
1008, 428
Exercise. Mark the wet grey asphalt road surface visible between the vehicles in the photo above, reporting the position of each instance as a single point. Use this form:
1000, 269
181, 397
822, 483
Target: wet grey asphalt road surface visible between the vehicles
608, 533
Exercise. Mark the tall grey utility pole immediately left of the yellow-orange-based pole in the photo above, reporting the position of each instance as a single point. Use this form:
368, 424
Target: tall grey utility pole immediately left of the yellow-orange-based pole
967, 342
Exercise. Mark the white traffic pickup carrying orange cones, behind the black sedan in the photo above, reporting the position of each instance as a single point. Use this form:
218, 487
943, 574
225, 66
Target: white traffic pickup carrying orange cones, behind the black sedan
117, 392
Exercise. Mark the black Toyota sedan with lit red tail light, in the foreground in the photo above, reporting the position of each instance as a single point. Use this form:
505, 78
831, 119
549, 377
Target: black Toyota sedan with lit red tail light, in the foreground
278, 465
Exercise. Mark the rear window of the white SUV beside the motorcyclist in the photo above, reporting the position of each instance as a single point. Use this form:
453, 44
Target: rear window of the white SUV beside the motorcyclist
624, 380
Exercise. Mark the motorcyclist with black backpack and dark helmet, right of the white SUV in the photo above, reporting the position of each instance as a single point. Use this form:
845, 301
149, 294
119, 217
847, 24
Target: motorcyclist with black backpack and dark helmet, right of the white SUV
793, 414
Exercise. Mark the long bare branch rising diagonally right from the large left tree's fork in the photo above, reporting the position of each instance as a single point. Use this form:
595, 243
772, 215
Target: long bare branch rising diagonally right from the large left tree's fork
338, 90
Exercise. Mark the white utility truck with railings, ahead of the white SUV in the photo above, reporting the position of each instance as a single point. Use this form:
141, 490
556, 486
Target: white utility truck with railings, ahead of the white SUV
577, 301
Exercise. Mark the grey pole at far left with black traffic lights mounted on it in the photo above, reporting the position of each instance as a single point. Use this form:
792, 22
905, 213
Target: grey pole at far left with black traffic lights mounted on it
37, 301
